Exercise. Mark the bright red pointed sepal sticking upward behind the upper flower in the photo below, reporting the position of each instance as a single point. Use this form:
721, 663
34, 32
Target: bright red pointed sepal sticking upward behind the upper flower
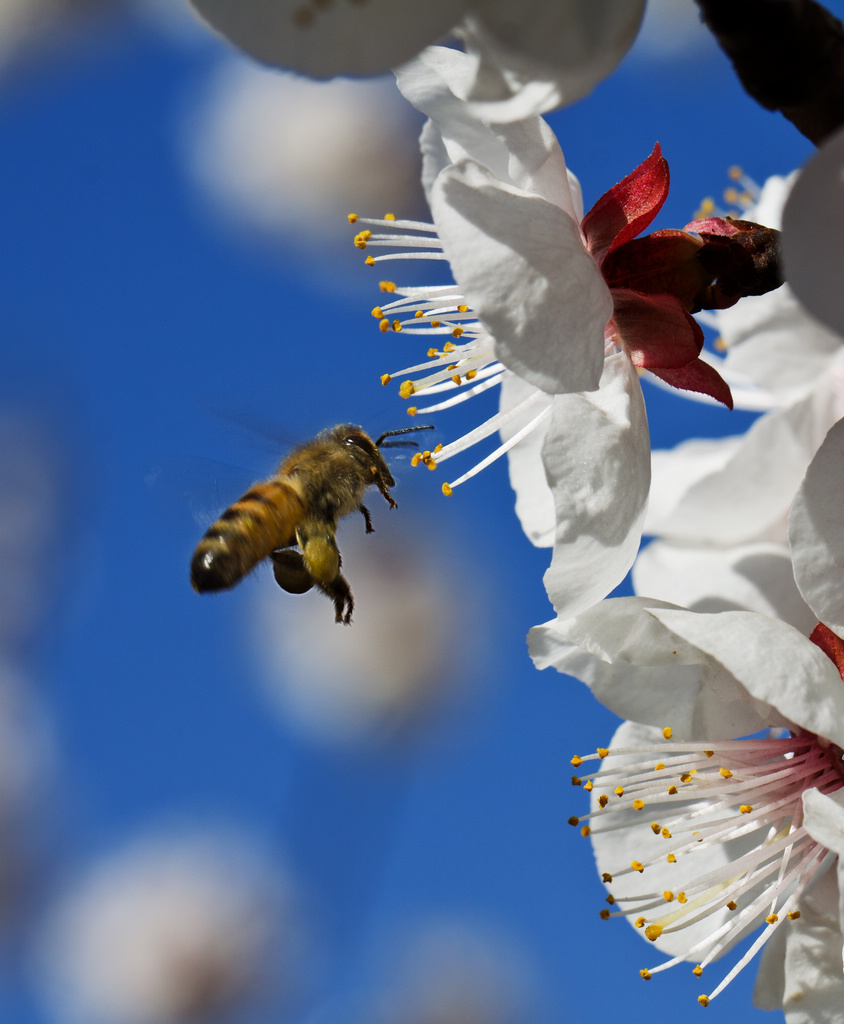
627, 208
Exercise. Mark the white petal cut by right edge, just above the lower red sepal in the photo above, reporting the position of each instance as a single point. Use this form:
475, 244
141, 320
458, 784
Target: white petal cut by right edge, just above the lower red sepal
817, 533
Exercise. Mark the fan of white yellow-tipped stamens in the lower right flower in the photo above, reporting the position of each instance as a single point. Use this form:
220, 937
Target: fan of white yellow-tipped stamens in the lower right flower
744, 796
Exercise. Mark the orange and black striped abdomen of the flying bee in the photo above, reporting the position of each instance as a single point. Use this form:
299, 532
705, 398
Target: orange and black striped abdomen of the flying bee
266, 519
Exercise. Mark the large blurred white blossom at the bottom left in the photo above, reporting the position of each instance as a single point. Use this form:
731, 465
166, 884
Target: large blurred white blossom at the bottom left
171, 929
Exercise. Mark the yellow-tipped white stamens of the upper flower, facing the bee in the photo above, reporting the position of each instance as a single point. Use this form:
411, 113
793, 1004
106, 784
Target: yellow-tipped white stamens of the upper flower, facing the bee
461, 367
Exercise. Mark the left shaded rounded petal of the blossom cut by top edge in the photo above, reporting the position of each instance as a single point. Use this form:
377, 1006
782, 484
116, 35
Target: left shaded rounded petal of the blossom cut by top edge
339, 39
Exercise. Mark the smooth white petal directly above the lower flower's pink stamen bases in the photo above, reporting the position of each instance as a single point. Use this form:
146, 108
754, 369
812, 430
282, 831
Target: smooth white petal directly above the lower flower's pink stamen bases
776, 665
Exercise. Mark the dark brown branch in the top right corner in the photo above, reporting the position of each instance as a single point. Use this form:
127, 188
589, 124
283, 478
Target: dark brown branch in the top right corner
789, 56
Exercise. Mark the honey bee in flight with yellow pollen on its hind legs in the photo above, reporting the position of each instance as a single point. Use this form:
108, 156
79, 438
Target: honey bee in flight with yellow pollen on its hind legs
318, 484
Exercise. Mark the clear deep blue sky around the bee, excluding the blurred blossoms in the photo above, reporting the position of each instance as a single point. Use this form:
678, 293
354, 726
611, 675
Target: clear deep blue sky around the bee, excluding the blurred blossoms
129, 315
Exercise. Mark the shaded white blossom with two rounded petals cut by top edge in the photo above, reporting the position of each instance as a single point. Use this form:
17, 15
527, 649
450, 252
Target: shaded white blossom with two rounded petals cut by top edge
527, 58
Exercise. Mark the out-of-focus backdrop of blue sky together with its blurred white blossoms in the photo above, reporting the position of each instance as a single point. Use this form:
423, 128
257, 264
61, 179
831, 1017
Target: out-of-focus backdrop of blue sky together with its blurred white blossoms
363, 825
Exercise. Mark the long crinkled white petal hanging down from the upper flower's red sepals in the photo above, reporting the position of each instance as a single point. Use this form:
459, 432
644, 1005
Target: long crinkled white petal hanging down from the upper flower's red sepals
598, 461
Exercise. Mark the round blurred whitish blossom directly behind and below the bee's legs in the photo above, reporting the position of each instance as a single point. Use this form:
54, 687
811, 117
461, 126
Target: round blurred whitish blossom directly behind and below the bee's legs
406, 653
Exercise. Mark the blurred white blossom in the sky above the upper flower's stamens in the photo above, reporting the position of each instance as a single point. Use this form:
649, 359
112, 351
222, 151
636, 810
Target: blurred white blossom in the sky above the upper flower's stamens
291, 157
